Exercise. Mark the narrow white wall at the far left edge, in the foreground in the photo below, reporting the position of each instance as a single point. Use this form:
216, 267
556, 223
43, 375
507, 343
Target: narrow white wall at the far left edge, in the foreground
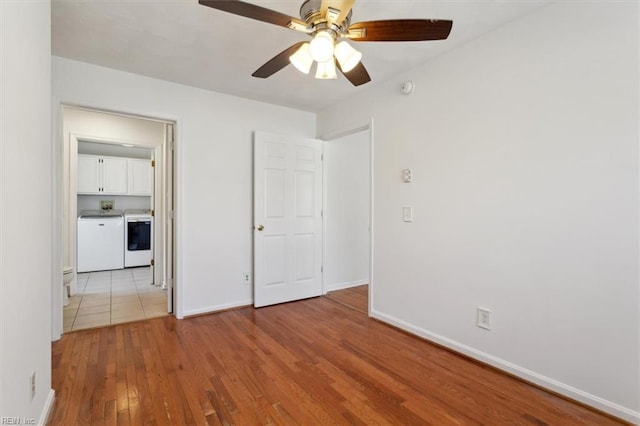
25, 209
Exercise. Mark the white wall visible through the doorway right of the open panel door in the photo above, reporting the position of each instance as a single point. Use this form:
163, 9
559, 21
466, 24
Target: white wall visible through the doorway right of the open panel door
347, 211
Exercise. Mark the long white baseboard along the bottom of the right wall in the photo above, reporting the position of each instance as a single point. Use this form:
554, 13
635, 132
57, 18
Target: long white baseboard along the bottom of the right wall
528, 375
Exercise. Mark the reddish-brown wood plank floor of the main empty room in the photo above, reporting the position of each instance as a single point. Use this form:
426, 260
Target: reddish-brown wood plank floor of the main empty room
309, 362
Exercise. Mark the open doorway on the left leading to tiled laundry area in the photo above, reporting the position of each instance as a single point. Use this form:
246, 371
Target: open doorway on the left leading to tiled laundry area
118, 193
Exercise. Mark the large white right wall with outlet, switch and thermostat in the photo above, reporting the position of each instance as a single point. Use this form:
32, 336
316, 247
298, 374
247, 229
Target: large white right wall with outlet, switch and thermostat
524, 146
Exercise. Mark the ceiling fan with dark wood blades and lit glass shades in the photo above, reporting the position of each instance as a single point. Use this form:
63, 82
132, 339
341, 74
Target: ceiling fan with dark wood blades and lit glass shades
328, 22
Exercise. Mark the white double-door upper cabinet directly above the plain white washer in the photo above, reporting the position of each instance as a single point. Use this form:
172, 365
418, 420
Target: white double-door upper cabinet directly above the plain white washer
102, 175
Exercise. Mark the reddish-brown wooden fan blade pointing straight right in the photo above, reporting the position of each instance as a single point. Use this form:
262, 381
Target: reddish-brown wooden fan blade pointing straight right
400, 30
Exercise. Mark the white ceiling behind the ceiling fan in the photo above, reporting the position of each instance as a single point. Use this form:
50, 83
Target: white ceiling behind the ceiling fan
184, 42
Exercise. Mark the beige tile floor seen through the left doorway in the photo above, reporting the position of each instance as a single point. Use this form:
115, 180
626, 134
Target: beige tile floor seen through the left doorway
113, 297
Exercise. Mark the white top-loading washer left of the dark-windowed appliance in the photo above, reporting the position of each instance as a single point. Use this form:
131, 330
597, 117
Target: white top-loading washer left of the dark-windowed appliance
100, 240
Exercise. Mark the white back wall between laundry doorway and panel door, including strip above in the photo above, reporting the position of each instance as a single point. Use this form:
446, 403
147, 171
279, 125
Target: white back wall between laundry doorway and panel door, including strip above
214, 170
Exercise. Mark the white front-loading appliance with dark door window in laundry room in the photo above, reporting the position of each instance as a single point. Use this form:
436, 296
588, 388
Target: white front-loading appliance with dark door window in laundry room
138, 240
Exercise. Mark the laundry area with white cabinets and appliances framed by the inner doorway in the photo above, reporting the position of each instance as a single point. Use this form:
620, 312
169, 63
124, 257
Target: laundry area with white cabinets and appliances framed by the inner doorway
114, 185
